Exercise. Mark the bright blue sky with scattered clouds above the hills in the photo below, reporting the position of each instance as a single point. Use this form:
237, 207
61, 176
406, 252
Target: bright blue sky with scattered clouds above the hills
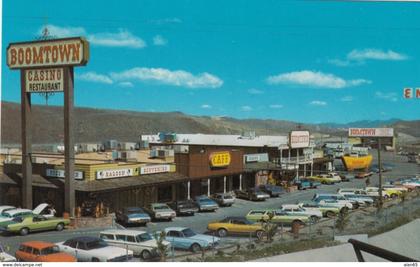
307, 61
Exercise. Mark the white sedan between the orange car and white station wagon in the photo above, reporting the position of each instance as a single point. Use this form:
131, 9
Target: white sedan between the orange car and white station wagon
88, 248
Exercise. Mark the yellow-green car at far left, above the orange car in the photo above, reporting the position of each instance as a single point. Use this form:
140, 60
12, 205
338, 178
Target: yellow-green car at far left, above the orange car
25, 225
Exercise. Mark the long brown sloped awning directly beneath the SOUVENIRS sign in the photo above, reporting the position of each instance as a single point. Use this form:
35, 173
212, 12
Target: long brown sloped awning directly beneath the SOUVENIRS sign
126, 182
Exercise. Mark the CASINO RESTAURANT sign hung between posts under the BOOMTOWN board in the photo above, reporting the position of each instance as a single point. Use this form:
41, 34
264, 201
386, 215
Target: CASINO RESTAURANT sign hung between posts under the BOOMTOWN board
44, 80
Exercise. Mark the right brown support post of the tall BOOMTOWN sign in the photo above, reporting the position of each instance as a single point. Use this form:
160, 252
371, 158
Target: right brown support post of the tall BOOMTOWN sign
69, 193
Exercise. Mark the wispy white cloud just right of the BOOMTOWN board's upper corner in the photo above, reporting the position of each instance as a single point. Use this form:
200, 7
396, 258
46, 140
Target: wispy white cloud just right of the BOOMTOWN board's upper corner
123, 38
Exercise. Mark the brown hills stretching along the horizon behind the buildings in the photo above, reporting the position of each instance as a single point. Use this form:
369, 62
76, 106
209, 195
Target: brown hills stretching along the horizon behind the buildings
96, 125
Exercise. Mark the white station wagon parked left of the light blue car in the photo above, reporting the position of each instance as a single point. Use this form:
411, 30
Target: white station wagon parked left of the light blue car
140, 242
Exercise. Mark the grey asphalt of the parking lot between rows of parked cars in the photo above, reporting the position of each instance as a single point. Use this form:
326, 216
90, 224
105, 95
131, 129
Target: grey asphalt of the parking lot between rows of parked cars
199, 221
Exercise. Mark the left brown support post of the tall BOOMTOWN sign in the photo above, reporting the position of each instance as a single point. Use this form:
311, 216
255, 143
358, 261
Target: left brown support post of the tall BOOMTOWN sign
26, 144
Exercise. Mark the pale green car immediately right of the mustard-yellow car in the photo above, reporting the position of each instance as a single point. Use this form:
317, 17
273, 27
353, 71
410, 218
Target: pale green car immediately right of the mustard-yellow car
279, 217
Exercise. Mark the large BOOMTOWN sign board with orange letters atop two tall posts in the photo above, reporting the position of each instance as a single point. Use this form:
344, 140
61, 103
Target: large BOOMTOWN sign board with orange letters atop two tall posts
48, 53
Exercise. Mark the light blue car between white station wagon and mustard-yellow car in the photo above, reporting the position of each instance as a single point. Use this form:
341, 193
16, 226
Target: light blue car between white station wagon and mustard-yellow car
187, 239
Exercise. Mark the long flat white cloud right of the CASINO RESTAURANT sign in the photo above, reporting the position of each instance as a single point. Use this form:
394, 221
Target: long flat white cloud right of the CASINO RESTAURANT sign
169, 77
